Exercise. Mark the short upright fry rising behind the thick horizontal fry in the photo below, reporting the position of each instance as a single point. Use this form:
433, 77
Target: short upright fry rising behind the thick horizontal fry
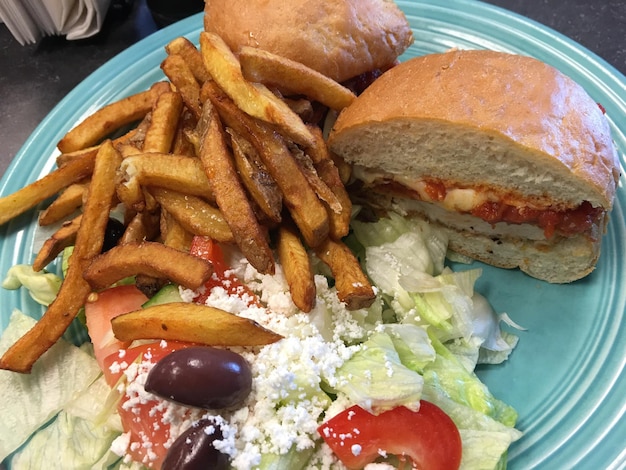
164, 123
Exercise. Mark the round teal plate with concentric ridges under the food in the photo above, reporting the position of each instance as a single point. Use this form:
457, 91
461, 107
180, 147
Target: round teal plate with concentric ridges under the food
566, 376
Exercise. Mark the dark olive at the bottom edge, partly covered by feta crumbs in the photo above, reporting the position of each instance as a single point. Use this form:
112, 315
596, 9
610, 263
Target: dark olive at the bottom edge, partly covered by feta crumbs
194, 449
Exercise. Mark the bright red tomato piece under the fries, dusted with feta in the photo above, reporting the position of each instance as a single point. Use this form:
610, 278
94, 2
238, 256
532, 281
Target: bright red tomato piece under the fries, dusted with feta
208, 249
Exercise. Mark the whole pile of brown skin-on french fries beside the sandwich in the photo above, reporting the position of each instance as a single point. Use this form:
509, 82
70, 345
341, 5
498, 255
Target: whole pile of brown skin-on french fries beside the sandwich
227, 147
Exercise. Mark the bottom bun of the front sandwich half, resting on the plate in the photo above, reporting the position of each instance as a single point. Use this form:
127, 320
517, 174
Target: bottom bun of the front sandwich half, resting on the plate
558, 260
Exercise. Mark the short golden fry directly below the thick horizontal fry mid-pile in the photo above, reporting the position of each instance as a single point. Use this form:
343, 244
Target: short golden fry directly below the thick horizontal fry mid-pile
194, 214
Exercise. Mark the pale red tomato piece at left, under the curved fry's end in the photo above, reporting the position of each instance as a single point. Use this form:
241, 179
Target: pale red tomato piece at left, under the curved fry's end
101, 309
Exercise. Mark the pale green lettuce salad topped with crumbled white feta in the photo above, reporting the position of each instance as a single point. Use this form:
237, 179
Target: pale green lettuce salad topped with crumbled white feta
420, 341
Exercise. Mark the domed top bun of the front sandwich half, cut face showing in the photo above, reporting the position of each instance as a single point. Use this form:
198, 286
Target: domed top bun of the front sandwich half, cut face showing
484, 118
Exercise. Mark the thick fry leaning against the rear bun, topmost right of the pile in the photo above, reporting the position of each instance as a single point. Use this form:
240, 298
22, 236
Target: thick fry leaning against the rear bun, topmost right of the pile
292, 77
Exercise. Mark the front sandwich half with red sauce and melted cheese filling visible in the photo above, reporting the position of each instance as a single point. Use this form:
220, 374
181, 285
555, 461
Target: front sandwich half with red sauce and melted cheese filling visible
512, 158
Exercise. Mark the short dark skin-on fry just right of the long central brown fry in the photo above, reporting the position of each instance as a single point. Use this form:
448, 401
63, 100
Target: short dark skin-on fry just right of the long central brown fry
255, 177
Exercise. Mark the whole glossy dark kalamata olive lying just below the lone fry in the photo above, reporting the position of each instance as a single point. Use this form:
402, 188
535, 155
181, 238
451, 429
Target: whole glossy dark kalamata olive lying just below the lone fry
201, 376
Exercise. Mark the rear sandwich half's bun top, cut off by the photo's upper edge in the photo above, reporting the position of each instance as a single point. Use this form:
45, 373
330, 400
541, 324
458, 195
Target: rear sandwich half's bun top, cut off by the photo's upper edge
339, 38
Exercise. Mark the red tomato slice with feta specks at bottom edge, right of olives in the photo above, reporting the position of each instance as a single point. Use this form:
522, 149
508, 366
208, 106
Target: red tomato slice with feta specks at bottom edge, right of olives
428, 437
